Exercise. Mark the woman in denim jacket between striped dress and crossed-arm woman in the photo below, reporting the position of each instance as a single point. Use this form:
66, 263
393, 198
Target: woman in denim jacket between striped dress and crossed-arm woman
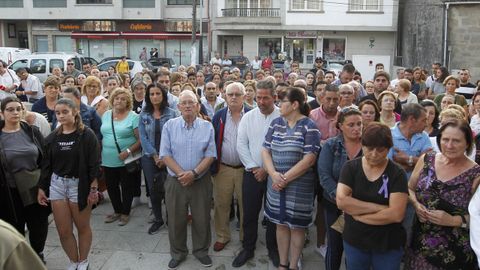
335, 153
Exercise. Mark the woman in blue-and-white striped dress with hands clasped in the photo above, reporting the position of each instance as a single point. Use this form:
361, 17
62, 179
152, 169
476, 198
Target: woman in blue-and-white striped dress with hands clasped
290, 150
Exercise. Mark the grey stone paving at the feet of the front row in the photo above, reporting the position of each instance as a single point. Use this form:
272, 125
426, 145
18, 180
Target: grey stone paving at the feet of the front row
130, 247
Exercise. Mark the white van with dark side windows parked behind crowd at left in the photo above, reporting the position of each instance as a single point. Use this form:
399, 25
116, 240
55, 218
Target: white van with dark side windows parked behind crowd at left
41, 64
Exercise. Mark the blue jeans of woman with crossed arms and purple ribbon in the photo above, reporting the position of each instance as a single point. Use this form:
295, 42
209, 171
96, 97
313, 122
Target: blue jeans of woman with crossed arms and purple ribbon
358, 259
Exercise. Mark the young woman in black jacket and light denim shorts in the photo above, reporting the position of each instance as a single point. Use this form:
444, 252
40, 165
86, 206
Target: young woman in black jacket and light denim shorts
69, 176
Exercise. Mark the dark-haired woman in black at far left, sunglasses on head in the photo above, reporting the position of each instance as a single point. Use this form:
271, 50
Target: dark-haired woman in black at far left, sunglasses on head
21, 150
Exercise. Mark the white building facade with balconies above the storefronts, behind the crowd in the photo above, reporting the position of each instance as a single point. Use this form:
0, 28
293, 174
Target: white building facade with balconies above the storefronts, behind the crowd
360, 30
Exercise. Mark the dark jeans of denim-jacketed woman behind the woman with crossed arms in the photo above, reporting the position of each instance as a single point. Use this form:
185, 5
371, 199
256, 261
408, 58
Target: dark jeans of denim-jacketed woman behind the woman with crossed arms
333, 258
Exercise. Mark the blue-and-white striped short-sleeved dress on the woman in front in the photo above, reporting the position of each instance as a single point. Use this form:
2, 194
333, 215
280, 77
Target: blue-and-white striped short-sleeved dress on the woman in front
293, 206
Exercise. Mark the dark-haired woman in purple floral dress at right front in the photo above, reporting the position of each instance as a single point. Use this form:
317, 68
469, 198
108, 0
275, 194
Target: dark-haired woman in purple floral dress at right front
440, 188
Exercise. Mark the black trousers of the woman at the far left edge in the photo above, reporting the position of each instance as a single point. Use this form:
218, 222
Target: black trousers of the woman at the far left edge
35, 216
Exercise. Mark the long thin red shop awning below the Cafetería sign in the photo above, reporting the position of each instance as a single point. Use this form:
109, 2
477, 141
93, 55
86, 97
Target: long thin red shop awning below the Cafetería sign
131, 35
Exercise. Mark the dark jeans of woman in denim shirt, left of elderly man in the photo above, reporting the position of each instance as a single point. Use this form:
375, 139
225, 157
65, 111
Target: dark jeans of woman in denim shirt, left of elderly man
155, 178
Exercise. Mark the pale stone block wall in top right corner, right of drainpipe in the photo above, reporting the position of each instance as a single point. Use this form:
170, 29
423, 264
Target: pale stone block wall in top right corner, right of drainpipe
464, 38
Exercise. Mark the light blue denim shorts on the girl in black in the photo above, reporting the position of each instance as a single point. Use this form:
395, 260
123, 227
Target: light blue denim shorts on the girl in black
63, 188
